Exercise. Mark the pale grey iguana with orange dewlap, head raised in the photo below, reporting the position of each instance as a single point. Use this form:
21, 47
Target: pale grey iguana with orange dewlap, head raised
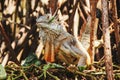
57, 41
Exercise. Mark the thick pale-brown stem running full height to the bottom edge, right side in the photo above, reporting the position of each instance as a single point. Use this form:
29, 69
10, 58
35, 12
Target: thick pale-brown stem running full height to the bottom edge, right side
106, 38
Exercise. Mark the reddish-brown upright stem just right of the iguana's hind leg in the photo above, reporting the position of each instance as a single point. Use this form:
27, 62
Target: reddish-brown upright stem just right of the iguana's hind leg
93, 27
